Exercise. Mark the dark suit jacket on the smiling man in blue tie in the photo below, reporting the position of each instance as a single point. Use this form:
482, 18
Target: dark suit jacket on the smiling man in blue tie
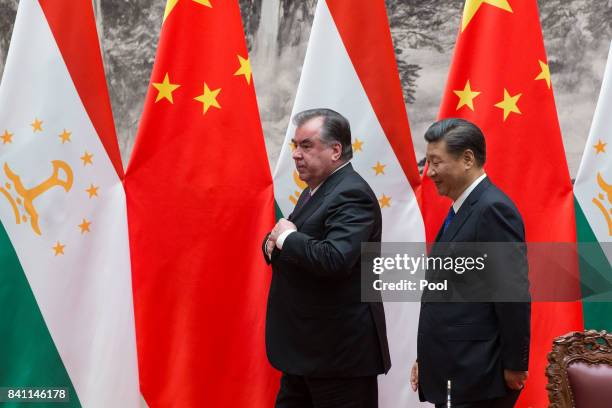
471, 343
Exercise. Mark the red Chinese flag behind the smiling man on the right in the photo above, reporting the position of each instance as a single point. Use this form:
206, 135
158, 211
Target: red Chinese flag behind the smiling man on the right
500, 80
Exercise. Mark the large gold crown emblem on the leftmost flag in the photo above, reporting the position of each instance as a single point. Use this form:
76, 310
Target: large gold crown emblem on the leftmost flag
25, 196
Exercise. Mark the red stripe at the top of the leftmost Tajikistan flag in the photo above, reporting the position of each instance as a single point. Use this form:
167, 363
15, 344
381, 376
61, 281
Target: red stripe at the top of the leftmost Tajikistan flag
72, 26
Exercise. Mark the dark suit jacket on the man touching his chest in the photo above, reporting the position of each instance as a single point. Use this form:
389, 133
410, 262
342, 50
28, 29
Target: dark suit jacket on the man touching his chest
316, 324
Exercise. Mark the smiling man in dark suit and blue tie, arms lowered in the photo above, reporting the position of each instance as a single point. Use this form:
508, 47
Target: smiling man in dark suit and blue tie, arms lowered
481, 347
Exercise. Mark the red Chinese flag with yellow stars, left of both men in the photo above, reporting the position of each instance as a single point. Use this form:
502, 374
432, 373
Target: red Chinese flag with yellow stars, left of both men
200, 201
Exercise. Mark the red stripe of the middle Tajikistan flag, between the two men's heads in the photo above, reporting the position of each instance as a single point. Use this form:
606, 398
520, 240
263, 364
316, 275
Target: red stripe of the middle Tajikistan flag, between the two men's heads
377, 70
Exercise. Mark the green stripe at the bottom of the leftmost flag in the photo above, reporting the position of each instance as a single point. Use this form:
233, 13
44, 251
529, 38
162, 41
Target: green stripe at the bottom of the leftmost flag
28, 357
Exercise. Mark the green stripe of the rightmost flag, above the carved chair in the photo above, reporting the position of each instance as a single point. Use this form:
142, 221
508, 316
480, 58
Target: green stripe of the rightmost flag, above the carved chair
595, 275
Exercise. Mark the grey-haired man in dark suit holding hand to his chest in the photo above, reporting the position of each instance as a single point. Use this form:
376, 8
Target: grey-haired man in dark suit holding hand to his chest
328, 344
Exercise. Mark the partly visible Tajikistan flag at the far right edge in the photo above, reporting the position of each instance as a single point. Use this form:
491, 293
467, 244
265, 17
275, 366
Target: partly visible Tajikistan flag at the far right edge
593, 193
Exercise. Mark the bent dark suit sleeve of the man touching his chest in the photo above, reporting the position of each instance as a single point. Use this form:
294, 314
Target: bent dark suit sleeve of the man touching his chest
351, 218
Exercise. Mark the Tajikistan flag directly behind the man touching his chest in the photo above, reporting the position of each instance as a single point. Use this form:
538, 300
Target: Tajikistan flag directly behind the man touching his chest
350, 67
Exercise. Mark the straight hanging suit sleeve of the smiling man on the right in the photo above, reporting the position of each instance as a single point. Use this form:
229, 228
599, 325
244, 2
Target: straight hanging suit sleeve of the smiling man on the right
502, 223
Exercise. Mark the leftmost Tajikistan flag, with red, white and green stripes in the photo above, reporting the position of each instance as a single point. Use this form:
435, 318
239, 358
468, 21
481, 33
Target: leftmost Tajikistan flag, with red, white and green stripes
65, 289
